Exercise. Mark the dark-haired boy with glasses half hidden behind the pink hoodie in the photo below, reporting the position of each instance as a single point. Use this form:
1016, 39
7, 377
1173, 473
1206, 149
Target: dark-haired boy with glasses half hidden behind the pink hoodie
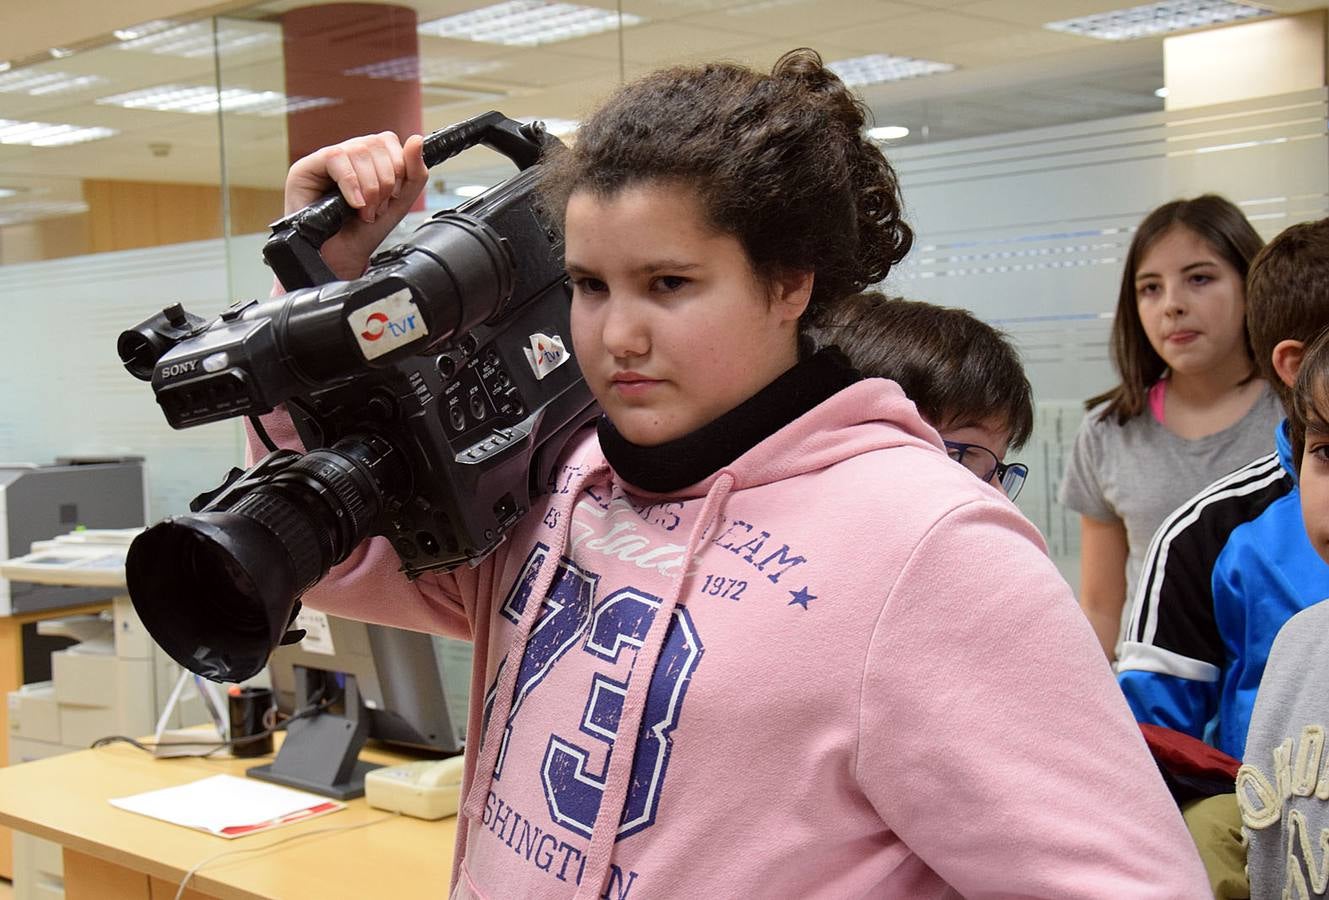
963, 374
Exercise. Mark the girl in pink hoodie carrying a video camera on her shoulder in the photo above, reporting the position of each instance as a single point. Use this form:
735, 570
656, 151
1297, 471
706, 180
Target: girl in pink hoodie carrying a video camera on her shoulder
762, 637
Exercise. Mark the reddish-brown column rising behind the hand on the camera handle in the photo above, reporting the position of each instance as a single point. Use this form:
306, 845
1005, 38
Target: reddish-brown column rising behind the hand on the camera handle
333, 51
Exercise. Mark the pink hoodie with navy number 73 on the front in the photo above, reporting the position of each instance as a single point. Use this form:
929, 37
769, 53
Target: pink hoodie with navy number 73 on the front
867, 679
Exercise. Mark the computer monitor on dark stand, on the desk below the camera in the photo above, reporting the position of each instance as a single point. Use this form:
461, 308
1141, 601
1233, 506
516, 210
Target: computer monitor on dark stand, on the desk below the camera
356, 683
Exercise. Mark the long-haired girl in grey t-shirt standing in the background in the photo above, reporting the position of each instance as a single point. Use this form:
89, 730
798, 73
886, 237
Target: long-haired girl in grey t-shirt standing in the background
1190, 406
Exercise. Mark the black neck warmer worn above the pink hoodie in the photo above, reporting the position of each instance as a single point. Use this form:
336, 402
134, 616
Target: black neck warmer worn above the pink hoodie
694, 457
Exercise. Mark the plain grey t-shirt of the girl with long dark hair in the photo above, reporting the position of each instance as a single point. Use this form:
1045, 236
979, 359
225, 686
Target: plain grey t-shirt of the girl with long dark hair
1140, 473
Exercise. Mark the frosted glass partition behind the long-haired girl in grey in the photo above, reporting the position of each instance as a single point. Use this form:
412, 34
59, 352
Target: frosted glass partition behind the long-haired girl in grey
1029, 231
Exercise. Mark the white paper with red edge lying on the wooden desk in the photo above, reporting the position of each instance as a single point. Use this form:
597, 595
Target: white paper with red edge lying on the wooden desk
229, 806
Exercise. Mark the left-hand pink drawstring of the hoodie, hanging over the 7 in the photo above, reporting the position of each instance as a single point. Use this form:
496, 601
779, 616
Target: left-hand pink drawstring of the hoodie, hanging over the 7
490, 745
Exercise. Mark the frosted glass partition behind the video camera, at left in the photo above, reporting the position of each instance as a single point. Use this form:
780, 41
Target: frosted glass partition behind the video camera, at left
63, 392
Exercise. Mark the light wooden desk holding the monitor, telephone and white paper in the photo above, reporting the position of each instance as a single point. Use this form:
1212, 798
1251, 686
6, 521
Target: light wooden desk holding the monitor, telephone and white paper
116, 855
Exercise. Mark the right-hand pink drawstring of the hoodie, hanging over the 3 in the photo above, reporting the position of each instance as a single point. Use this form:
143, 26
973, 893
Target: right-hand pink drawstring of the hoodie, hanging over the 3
605, 832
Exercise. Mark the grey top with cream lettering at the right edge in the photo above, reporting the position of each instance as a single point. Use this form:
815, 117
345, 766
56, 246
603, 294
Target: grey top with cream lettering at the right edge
1283, 788
